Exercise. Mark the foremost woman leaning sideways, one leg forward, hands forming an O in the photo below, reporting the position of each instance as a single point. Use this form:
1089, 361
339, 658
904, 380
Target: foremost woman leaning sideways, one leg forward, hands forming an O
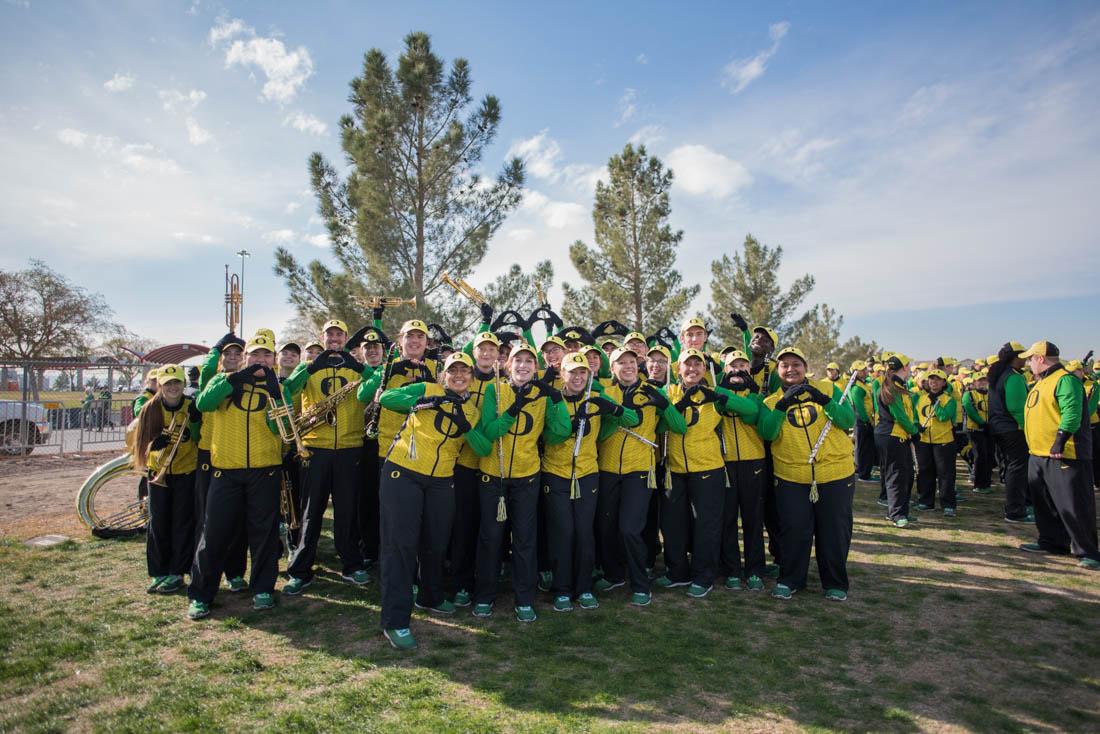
417, 492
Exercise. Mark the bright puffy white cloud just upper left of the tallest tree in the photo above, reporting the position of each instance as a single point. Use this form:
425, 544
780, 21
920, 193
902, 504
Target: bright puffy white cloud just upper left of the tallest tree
285, 71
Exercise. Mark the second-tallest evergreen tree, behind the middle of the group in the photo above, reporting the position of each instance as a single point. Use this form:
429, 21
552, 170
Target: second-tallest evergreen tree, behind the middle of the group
631, 273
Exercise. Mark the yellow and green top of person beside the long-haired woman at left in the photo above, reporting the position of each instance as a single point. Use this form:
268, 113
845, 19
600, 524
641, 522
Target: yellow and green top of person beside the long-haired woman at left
241, 436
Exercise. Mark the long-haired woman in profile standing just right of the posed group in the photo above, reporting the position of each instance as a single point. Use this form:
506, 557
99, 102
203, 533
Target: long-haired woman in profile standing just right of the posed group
897, 425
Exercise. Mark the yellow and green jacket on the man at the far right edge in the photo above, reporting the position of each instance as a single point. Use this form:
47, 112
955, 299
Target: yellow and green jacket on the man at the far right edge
1055, 404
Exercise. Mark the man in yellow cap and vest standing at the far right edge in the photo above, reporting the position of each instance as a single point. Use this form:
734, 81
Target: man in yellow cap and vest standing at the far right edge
1060, 451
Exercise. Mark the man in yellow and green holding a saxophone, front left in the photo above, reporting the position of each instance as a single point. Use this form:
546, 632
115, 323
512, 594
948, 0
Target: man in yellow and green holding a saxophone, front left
336, 446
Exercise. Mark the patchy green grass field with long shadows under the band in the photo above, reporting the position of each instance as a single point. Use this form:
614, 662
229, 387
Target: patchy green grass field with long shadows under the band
949, 628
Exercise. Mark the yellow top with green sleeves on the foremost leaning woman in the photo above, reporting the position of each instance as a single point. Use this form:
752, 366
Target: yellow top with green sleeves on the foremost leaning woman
438, 442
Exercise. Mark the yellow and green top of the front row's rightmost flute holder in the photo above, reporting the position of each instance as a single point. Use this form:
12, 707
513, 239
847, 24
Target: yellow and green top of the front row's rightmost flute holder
795, 433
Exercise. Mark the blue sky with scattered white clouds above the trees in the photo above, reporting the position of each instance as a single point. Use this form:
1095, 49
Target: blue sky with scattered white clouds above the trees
934, 166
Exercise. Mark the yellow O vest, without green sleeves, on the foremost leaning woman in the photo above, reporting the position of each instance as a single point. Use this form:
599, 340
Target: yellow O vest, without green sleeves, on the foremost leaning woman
438, 440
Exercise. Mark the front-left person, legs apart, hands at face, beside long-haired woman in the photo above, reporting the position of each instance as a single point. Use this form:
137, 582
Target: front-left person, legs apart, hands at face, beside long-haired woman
247, 454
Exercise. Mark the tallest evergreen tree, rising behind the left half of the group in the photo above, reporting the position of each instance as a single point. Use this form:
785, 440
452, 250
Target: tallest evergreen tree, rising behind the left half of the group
414, 204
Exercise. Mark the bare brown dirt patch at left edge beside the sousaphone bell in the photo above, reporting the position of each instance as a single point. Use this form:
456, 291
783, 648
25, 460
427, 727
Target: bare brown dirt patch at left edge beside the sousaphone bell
38, 495
